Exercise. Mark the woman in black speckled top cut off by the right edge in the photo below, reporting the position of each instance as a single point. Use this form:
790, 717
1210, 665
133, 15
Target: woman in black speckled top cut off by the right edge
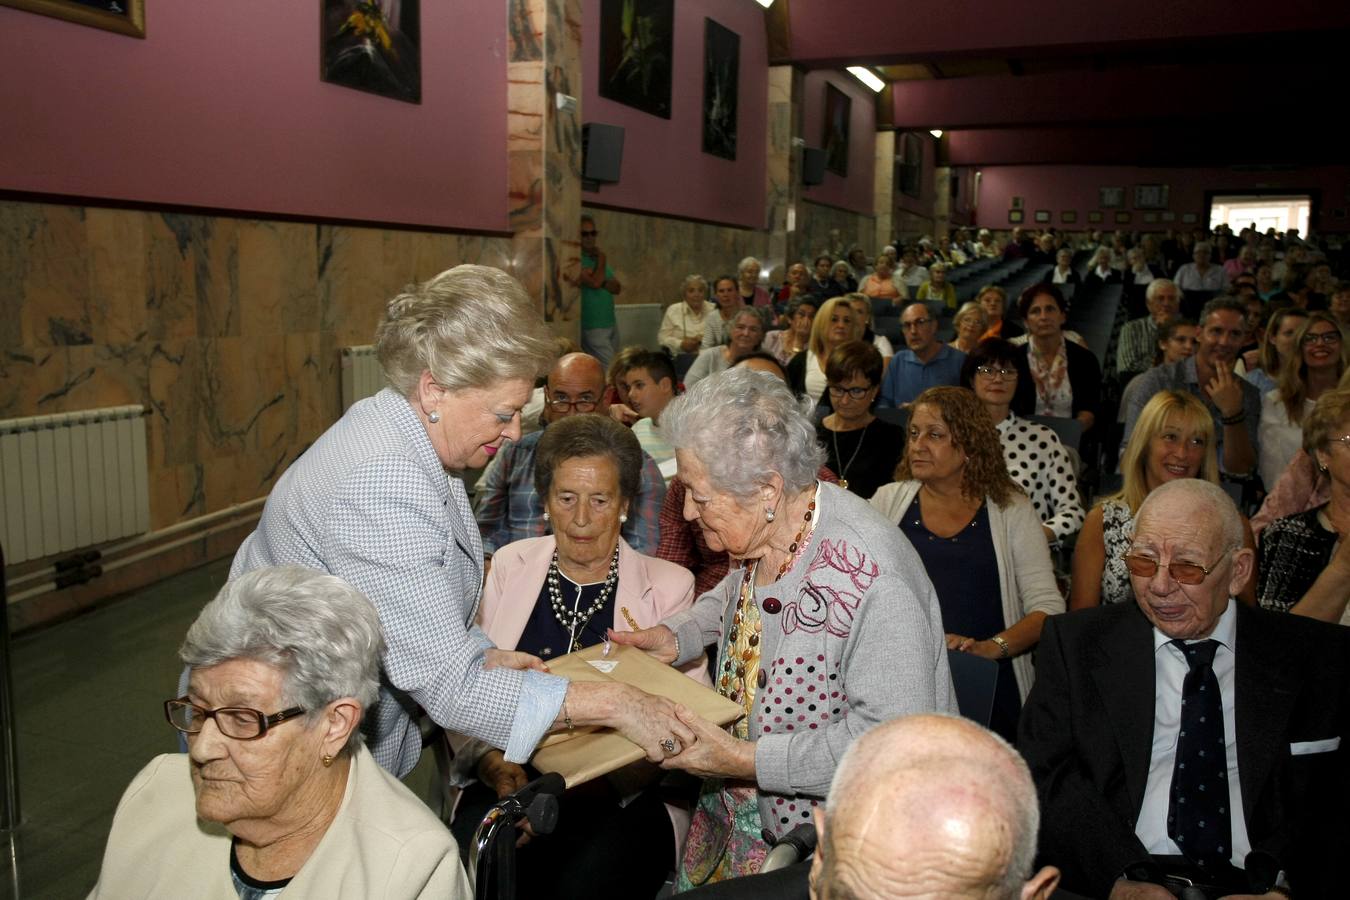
1305, 561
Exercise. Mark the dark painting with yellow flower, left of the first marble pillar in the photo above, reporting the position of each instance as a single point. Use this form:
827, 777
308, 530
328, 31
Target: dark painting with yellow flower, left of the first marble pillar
373, 47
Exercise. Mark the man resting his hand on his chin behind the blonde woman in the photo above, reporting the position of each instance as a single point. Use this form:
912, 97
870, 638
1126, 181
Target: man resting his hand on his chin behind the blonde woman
1233, 404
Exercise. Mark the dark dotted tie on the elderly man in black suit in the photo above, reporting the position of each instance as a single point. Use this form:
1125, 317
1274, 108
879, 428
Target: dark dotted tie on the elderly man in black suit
1198, 814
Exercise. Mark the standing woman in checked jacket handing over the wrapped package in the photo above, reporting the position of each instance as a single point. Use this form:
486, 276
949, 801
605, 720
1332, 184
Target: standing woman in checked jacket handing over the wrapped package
379, 501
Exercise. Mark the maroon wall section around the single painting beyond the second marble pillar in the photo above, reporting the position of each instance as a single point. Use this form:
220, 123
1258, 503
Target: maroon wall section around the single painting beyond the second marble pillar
854, 191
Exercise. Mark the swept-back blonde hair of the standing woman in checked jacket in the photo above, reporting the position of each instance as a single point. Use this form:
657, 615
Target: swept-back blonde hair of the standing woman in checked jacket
469, 327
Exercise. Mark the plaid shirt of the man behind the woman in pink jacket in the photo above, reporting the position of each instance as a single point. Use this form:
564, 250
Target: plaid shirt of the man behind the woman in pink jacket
508, 508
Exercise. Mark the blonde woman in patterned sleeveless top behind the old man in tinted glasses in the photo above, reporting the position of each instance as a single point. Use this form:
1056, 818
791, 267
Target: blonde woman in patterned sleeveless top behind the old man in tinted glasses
1174, 438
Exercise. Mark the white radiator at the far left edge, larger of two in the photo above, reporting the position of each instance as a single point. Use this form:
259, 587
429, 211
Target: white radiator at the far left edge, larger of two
72, 481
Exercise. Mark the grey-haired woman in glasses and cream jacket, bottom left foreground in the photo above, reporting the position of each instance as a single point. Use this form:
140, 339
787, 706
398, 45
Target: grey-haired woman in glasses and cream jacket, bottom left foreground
279, 794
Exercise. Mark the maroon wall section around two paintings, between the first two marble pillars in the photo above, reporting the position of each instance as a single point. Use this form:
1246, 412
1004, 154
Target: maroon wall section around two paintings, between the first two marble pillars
665, 169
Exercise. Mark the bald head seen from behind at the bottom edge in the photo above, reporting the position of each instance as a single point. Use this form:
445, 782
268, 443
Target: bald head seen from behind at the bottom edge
929, 806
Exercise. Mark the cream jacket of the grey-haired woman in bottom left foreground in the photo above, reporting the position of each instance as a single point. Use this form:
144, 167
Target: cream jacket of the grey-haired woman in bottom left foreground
384, 843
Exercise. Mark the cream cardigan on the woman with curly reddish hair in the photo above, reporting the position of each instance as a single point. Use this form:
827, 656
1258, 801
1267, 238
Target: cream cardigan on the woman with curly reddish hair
1027, 574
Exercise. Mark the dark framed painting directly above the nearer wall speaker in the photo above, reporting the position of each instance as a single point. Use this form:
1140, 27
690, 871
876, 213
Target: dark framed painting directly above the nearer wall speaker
637, 41
